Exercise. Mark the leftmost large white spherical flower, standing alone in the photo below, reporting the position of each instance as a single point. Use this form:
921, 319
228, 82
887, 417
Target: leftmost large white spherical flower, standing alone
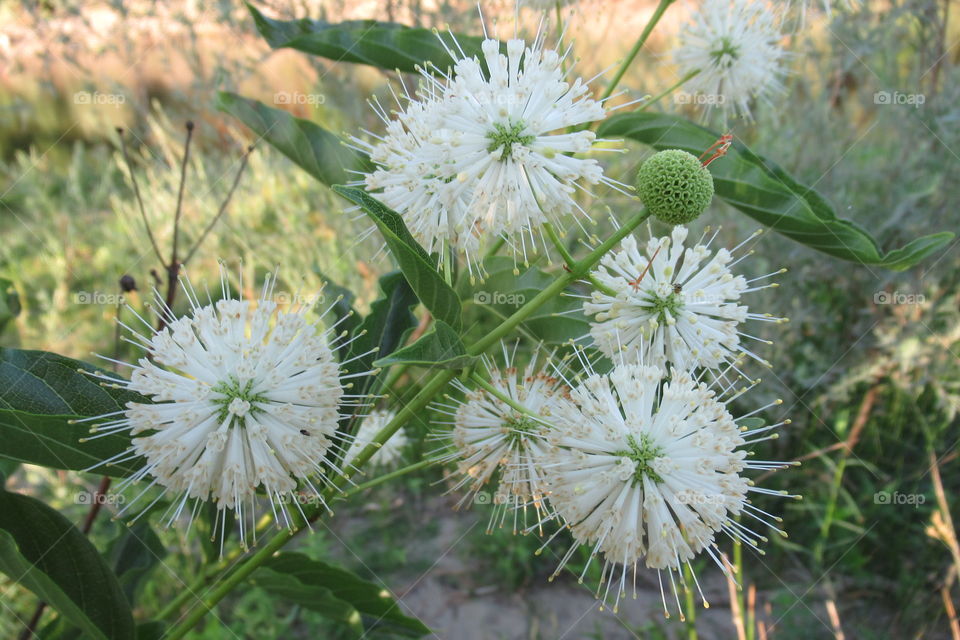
245, 402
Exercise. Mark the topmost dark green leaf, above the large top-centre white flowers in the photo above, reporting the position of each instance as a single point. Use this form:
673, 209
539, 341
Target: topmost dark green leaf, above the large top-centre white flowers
386, 45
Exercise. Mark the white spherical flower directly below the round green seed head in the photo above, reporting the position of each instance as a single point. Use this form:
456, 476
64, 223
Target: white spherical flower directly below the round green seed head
671, 304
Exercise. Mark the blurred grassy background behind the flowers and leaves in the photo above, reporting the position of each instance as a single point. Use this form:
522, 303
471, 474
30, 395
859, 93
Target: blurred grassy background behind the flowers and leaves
867, 368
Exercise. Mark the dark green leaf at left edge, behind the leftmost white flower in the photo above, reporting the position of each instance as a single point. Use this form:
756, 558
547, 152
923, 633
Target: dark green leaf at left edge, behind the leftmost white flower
40, 394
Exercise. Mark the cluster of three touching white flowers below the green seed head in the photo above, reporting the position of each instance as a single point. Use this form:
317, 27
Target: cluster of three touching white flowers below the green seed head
644, 464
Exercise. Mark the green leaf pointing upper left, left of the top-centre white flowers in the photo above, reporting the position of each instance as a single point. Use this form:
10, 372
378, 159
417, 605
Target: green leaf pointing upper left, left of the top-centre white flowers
314, 149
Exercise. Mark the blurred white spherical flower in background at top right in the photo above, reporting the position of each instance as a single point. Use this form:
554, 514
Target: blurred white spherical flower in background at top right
734, 45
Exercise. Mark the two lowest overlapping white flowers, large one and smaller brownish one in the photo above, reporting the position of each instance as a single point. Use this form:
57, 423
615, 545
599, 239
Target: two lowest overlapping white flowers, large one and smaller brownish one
643, 464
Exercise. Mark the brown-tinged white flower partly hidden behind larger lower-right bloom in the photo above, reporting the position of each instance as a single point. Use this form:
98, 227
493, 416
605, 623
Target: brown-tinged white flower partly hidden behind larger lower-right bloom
499, 437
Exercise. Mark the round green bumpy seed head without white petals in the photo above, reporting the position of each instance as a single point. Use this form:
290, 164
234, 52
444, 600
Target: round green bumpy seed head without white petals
674, 186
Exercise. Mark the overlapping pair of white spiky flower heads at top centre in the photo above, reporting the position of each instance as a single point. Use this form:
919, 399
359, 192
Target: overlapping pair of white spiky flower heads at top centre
486, 151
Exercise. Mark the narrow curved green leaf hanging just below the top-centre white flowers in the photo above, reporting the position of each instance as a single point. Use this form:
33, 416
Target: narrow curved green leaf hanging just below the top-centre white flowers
419, 269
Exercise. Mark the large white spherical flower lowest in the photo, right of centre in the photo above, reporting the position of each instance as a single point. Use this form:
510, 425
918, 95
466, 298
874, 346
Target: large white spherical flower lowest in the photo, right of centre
646, 469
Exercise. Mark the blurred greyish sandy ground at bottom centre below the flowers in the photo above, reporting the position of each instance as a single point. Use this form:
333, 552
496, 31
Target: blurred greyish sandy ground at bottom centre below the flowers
460, 602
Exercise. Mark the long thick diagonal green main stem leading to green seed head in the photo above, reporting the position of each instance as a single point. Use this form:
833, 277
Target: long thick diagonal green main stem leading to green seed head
406, 412
